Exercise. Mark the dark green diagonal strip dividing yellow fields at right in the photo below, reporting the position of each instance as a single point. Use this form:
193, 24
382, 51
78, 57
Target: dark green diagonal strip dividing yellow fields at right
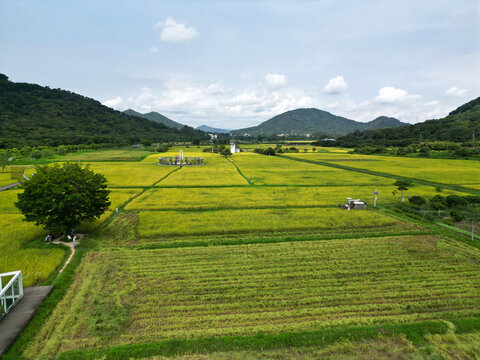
387, 175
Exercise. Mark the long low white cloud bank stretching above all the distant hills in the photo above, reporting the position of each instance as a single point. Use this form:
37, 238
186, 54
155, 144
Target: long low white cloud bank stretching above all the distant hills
220, 105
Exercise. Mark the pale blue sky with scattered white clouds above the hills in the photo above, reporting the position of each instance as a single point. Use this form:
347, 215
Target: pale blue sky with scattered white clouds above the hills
235, 64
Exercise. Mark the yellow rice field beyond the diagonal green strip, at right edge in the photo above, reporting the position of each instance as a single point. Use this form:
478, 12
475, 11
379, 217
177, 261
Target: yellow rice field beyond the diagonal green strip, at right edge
460, 172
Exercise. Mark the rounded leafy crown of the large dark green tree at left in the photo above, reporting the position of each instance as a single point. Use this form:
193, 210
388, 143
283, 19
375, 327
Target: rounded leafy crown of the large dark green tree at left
61, 197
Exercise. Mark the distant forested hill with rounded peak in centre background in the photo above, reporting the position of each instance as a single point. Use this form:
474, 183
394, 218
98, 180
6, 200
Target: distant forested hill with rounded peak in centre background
314, 121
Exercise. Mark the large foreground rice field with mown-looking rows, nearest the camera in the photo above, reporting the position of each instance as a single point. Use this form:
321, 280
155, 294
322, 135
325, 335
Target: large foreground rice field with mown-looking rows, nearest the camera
131, 296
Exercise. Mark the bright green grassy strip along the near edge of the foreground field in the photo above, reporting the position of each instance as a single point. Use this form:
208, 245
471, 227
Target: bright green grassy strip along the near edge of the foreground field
414, 332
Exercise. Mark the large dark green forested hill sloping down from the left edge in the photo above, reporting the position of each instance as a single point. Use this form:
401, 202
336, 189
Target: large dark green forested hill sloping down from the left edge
35, 115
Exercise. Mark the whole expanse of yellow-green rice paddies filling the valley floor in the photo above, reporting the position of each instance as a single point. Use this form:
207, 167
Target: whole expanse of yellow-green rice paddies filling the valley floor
250, 257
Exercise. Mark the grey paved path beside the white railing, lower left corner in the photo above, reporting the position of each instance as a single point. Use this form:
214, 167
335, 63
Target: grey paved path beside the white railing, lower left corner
12, 324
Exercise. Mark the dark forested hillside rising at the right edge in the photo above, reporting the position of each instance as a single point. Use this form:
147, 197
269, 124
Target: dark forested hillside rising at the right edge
459, 126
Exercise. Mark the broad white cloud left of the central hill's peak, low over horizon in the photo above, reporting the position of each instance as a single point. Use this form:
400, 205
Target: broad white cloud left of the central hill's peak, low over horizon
192, 103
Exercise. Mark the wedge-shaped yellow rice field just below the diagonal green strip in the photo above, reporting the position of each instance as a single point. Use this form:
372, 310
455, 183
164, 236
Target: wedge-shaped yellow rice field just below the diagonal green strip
272, 170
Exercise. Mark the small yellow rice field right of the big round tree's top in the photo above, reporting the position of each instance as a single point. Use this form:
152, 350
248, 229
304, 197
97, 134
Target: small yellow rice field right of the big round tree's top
125, 174
